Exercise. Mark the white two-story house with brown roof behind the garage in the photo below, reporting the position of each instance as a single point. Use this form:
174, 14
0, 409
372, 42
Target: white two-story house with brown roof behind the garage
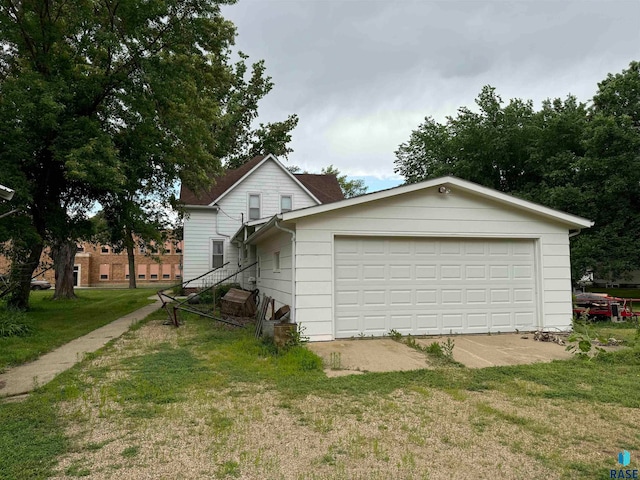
241, 199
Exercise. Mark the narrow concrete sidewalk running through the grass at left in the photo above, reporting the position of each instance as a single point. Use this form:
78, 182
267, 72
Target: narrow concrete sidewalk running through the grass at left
25, 378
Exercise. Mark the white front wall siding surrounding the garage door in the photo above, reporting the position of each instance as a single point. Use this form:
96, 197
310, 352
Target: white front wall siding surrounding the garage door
434, 215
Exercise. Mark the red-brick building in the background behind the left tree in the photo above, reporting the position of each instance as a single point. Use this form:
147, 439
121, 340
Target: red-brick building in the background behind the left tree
98, 266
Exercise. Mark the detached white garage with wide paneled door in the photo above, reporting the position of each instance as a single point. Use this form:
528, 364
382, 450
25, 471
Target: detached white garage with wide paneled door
441, 256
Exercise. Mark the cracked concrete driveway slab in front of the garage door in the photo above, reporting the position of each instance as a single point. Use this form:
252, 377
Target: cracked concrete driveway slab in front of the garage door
344, 357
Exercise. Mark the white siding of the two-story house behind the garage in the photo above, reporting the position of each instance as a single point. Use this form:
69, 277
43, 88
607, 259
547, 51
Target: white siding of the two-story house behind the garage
200, 228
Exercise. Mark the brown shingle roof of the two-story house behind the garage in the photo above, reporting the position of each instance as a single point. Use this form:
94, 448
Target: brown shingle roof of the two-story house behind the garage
324, 187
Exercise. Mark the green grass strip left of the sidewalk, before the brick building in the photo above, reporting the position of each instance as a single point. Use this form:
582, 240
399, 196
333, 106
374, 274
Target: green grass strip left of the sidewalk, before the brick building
56, 322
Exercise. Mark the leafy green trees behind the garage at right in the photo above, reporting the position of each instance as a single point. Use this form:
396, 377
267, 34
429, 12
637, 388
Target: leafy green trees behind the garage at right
567, 156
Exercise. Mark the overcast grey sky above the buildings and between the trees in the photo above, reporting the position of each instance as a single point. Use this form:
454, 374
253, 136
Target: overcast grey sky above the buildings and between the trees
361, 75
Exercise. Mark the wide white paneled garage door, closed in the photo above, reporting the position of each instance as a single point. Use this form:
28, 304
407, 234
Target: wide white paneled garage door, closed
433, 286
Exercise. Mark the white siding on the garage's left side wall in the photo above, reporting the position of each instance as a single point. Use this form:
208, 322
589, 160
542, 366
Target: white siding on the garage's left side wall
275, 284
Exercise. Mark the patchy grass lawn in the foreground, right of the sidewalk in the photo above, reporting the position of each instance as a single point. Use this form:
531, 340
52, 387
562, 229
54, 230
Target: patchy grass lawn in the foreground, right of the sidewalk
128, 404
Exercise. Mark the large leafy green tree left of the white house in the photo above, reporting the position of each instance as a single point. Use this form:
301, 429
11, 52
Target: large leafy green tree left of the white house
108, 100
